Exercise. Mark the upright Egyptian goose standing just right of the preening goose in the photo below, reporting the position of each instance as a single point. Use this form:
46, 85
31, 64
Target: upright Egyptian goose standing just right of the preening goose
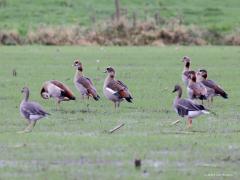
83, 84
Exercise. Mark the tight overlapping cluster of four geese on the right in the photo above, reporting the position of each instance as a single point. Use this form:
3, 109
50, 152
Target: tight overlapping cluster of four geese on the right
198, 87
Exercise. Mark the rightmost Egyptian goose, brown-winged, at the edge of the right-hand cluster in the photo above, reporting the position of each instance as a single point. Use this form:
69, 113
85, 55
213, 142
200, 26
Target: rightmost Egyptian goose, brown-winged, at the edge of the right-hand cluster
213, 89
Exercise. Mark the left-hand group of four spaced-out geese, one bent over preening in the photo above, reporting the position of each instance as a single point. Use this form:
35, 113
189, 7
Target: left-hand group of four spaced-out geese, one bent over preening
114, 90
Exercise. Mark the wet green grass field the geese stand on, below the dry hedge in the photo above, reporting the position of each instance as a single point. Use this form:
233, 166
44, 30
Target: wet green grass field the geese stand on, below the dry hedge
73, 143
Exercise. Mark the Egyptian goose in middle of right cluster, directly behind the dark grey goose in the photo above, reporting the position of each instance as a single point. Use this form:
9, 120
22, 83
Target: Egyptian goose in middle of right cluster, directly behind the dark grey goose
195, 90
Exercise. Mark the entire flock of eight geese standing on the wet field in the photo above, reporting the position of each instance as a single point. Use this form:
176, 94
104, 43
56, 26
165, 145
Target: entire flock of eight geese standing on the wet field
197, 83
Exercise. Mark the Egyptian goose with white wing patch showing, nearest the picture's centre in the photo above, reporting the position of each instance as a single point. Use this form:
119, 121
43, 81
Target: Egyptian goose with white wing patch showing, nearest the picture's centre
115, 90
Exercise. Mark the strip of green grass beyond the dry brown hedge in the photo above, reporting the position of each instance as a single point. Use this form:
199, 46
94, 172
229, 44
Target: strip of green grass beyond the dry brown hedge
21, 15
